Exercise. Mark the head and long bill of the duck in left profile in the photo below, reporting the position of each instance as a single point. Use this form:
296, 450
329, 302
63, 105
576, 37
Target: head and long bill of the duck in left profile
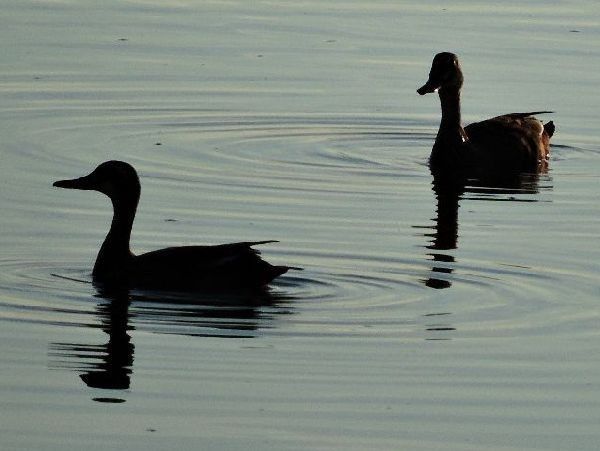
116, 179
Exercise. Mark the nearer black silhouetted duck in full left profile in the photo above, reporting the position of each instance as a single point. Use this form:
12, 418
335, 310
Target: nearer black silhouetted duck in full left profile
227, 266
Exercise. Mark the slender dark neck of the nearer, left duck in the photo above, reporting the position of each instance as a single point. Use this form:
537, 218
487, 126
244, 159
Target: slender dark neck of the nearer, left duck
115, 253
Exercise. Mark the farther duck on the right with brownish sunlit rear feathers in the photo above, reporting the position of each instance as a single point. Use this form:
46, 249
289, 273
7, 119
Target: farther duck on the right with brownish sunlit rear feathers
516, 142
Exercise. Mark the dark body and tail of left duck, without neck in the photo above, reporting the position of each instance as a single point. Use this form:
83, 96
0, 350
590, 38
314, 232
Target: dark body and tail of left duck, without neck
233, 266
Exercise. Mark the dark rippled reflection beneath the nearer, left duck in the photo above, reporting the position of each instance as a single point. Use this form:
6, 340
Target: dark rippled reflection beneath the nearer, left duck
120, 311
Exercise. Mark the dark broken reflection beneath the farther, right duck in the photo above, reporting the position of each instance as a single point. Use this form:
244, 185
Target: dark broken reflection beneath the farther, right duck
448, 191
